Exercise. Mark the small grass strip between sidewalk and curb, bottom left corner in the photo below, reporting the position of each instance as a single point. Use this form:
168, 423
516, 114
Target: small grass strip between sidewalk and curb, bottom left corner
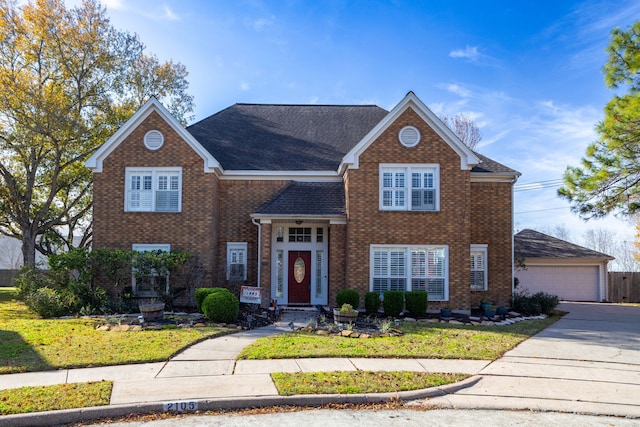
54, 397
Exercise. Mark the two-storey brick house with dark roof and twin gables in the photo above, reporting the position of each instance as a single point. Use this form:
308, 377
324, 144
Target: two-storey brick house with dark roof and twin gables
306, 200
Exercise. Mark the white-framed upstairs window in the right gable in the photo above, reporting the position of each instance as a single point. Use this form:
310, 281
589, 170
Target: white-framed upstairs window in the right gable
409, 187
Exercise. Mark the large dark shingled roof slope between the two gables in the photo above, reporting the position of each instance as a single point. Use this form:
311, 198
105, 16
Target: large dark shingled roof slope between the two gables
274, 137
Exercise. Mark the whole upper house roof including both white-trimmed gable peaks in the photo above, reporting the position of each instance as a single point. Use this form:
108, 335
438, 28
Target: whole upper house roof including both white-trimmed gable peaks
271, 139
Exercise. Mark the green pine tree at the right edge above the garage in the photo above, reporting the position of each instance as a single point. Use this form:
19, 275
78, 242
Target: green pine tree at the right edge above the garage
609, 178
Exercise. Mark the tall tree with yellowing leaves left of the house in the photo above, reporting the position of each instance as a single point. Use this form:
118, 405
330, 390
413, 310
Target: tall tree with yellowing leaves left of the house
68, 80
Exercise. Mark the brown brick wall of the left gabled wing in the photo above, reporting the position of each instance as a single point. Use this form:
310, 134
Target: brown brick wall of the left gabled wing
193, 229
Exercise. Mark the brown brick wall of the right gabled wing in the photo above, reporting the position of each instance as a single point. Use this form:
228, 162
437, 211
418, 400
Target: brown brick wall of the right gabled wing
450, 226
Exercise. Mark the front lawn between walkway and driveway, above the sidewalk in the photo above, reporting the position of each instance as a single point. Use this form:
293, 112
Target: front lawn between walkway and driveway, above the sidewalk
429, 341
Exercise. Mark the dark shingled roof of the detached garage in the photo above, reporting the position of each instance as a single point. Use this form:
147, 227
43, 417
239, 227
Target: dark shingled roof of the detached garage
533, 244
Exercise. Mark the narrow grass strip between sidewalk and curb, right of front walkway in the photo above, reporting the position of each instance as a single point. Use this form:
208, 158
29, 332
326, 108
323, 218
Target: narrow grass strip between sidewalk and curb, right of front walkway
289, 384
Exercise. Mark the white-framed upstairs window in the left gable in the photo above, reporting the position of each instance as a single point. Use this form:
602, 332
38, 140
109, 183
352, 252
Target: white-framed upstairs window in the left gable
153, 190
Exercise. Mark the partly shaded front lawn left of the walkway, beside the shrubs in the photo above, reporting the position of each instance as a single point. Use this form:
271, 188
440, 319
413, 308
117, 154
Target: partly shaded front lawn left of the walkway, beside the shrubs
33, 344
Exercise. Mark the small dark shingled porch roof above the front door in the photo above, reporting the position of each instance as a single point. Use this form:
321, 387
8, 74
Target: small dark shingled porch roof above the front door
306, 199
